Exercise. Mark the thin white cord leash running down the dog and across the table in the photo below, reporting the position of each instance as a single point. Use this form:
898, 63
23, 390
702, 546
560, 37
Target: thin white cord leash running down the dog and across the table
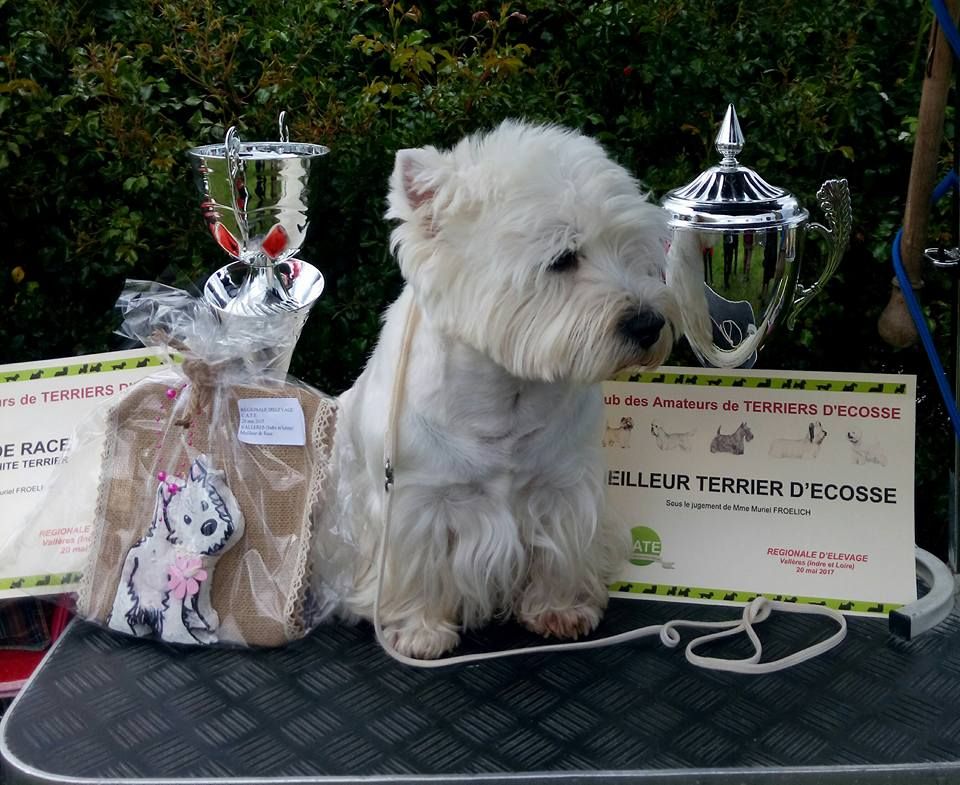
755, 612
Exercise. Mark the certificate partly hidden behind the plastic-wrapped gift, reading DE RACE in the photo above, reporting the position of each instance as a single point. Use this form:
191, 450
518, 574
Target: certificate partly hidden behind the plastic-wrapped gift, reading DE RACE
40, 405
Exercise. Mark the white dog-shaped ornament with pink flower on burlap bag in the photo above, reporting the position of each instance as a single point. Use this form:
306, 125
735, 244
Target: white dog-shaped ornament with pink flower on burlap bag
164, 587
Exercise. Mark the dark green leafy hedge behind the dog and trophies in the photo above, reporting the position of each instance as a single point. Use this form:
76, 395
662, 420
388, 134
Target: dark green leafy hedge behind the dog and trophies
100, 100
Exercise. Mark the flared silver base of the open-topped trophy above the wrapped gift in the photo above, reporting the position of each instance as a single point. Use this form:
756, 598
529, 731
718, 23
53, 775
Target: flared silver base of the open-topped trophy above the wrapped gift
278, 298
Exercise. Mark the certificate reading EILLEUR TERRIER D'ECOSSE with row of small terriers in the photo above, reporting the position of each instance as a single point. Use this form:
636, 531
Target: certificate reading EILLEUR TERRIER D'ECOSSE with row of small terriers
796, 486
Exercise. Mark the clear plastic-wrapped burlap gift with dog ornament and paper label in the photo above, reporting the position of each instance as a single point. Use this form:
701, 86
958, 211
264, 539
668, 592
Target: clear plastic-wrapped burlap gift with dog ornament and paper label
206, 476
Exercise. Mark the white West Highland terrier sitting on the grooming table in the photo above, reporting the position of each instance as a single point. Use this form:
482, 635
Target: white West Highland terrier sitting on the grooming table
539, 270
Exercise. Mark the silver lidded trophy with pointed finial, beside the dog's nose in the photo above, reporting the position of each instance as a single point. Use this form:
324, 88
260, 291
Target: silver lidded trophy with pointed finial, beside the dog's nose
750, 238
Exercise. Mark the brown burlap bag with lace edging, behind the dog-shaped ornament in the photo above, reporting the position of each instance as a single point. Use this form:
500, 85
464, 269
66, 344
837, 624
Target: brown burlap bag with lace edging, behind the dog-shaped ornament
258, 586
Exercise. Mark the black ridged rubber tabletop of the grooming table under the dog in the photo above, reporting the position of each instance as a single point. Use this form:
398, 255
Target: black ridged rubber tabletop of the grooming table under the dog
877, 709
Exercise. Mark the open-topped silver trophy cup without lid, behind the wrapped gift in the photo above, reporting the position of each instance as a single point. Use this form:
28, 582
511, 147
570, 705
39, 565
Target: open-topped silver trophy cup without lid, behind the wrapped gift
254, 201
